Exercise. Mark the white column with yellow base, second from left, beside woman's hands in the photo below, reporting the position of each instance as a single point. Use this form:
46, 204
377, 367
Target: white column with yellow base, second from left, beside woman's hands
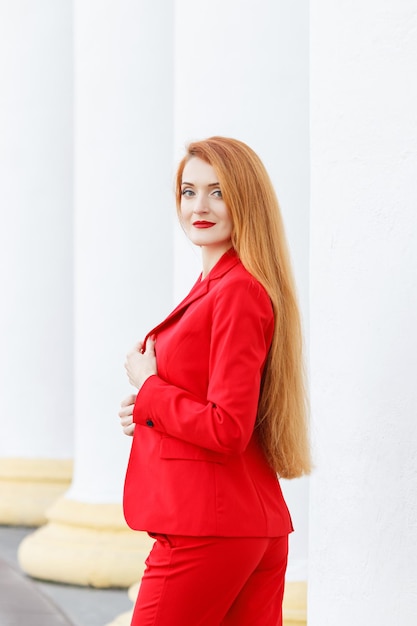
124, 209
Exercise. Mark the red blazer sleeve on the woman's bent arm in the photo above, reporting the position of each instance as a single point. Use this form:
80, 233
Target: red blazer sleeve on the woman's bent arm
241, 333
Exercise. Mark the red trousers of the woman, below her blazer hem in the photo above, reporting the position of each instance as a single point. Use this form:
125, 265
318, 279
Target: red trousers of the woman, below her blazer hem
213, 581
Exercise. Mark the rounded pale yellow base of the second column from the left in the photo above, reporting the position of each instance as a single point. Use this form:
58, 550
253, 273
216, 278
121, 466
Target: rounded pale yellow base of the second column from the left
85, 544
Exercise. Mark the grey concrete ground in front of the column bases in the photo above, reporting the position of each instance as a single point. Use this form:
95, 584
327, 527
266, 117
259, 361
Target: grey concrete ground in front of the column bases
24, 600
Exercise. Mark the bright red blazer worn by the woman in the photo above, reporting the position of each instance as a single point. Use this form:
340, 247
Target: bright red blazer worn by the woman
196, 466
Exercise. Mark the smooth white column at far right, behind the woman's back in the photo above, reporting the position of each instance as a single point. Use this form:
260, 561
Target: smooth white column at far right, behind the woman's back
363, 557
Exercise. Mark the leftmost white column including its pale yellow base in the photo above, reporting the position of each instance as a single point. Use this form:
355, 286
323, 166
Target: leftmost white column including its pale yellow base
36, 362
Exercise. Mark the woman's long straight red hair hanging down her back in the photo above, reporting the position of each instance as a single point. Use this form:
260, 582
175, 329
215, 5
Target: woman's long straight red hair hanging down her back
259, 239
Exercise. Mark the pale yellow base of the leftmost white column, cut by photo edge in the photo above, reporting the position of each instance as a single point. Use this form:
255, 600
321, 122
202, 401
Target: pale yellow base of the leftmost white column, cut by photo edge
29, 486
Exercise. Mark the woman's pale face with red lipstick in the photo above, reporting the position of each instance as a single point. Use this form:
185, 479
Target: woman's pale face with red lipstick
204, 214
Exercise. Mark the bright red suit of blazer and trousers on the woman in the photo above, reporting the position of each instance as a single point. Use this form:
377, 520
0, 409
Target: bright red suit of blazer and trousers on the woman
197, 478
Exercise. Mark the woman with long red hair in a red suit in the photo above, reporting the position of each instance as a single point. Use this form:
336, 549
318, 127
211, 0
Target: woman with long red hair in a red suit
220, 408
